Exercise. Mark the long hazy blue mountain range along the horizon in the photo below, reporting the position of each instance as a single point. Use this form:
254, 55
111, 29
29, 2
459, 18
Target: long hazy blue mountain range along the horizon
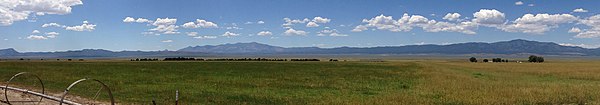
518, 46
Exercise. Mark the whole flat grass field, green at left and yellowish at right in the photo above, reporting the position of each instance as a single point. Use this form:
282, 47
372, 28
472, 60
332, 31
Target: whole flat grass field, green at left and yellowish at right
395, 82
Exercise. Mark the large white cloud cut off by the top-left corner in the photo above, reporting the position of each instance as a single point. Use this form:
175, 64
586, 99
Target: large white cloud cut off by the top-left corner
17, 10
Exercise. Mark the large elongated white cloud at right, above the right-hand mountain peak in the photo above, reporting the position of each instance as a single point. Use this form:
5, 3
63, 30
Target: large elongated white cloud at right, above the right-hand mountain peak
539, 23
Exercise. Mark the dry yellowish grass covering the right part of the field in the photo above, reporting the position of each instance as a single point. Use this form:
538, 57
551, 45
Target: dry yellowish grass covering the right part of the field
447, 82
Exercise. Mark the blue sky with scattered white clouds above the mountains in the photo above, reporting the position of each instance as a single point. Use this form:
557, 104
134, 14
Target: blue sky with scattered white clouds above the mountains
150, 25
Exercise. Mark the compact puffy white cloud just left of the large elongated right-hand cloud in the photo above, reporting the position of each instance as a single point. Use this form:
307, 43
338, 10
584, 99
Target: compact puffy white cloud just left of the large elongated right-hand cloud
489, 17
